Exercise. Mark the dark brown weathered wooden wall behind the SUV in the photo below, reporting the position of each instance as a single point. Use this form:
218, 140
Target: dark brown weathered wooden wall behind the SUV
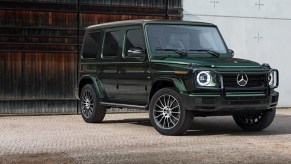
39, 45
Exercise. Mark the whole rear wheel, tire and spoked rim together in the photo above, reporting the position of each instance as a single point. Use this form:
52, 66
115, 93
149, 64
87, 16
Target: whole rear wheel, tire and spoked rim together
91, 109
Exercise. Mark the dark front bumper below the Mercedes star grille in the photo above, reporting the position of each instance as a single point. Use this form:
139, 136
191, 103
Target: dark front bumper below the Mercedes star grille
233, 102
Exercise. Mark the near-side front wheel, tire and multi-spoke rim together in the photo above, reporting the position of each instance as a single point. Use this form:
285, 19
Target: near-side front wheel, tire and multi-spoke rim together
167, 113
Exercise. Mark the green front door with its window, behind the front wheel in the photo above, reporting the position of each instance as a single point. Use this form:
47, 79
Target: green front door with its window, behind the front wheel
132, 72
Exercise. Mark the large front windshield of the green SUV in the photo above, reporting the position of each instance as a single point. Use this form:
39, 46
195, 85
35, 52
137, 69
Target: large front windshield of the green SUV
185, 38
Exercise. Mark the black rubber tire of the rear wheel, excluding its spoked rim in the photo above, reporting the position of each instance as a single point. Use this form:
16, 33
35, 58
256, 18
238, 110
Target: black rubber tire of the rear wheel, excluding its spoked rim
99, 111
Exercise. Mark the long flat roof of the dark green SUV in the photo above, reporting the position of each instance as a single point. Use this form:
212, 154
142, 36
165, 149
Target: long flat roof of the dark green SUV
145, 21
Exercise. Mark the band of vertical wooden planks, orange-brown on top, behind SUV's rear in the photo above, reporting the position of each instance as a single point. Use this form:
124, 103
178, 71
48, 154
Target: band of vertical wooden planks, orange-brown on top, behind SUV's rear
37, 75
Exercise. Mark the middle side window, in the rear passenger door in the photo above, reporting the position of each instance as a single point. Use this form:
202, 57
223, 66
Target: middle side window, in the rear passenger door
111, 44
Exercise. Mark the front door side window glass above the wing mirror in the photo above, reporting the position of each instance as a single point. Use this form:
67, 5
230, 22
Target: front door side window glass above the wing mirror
134, 39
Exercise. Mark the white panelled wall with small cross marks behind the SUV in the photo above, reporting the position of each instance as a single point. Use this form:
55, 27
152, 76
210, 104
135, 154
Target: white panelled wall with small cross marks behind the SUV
241, 21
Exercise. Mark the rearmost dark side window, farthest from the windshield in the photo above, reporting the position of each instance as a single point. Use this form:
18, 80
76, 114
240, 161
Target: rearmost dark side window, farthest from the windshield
91, 45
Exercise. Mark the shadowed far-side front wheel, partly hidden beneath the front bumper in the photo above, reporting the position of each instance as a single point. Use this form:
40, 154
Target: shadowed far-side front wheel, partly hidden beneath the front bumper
254, 121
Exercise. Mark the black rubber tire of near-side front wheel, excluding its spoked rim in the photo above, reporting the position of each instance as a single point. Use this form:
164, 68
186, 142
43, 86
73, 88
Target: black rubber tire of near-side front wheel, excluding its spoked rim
186, 117
